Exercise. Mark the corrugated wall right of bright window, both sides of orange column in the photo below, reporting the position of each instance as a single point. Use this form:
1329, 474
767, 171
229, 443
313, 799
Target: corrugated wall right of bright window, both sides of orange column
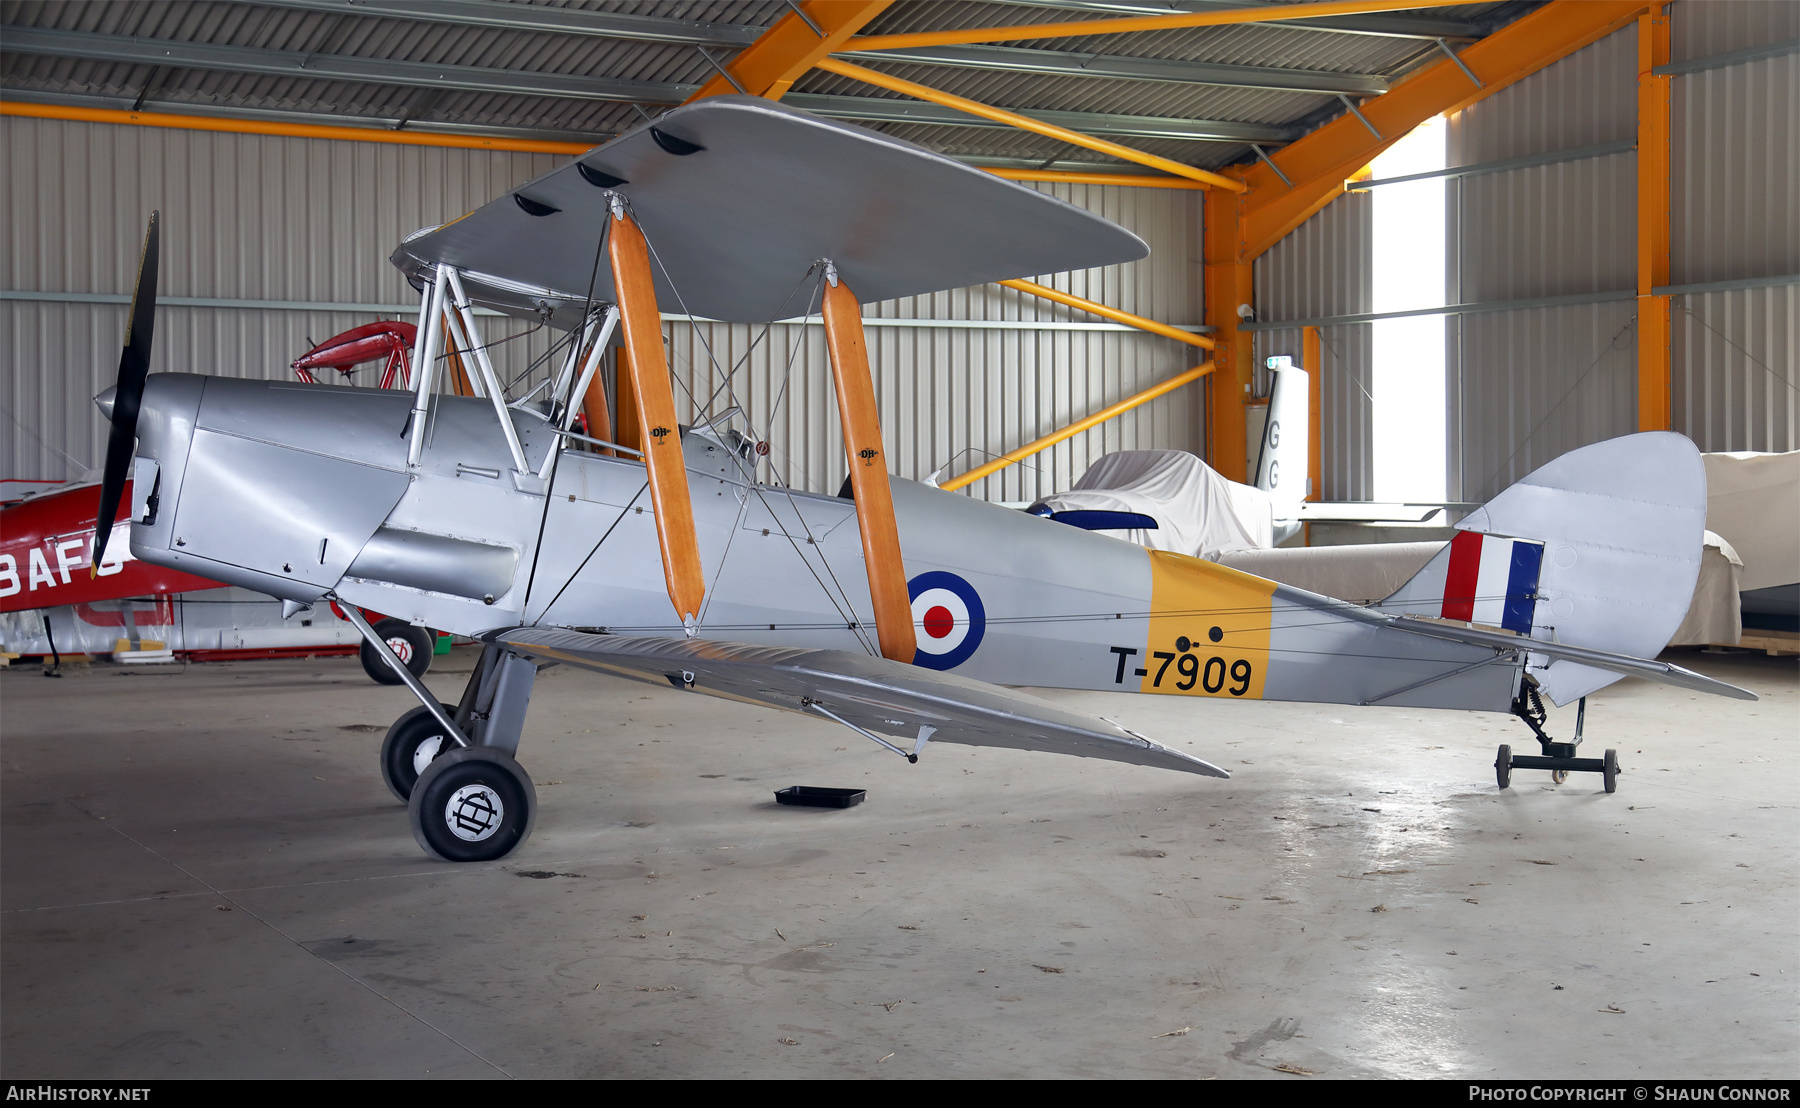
1531, 386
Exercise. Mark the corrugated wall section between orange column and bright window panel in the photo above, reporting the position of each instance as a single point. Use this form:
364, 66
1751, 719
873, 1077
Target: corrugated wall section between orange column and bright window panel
1326, 269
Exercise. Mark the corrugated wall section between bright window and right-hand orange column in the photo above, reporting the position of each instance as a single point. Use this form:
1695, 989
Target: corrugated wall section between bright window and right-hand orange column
1531, 386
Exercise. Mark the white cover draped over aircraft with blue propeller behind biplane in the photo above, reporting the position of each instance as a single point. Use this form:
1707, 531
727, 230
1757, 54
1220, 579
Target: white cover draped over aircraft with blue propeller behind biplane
1198, 512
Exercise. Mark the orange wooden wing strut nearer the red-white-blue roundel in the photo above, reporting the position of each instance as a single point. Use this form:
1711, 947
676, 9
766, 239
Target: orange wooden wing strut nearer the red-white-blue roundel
868, 470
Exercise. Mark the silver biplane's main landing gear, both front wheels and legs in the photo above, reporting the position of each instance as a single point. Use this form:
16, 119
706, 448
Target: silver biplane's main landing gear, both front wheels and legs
467, 800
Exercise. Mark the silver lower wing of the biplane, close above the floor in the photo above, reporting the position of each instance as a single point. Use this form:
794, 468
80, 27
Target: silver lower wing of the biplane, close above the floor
868, 693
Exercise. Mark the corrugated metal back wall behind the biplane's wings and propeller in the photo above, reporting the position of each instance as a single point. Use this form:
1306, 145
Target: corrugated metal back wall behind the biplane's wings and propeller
267, 219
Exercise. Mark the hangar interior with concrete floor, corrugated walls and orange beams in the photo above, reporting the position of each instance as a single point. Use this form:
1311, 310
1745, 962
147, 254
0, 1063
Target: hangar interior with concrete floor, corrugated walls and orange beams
202, 875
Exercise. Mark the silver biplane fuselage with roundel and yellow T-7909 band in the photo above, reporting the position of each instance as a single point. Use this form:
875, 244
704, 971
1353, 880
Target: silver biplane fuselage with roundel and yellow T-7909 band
300, 490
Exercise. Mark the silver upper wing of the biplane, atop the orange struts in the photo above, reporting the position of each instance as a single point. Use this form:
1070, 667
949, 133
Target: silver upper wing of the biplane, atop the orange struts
741, 197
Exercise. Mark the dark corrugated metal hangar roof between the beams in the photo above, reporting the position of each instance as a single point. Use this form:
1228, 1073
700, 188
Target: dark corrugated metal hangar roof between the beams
301, 35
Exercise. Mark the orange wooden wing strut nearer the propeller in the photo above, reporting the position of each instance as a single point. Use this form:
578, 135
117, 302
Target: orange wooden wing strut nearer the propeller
656, 415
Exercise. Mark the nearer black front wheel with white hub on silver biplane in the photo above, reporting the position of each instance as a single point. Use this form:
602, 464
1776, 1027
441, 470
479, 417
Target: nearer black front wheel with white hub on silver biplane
472, 805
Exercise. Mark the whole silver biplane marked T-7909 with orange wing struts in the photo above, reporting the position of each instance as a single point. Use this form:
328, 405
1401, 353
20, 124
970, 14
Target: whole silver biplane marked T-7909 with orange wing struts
899, 611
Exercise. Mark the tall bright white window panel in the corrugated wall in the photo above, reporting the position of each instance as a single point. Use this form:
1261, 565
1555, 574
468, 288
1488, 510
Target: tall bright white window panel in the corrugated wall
1408, 373
